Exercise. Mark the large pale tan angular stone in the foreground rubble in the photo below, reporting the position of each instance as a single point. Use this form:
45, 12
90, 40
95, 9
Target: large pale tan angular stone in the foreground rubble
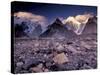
60, 58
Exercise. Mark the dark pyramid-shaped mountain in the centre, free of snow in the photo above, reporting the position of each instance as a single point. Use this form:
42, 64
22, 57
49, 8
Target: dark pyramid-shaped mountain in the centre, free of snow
58, 30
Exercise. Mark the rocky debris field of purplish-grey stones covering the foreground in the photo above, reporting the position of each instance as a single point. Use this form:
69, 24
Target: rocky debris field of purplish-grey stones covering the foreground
46, 55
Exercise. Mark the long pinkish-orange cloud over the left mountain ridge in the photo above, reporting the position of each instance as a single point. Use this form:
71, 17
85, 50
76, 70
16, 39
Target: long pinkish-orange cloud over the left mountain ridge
32, 17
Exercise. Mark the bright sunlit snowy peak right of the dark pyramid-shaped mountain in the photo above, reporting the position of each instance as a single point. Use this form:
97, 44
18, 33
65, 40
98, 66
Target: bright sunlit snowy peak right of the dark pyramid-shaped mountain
77, 23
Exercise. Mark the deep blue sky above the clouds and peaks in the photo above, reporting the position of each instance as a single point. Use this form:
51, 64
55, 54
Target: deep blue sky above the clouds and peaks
52, 11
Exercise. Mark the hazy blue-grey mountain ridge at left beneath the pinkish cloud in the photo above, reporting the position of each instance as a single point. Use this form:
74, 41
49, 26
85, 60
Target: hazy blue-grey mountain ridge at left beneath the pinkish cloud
32, 30
